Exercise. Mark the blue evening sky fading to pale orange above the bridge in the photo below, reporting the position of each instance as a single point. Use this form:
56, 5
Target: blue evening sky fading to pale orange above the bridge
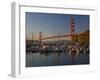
54, 24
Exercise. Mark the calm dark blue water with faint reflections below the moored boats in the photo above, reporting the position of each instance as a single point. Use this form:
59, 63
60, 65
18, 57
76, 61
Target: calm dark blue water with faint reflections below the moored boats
53, 59
